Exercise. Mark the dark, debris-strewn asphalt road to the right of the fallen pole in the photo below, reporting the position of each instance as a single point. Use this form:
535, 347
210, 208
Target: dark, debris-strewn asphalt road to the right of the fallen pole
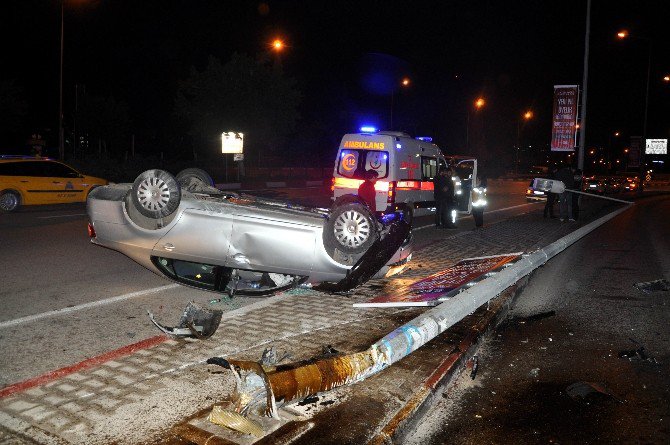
579, 321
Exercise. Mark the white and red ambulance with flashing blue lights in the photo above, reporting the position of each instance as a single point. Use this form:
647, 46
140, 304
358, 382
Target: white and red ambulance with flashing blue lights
406, 168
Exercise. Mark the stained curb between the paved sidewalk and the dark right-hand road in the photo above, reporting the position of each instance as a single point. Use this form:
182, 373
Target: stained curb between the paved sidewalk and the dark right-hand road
408, 416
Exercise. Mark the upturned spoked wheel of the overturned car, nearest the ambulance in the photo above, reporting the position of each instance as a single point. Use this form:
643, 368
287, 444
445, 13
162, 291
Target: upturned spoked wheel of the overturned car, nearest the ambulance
351, 228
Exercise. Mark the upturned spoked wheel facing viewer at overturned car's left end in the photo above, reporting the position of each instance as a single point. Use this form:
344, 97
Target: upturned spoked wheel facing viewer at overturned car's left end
156, 194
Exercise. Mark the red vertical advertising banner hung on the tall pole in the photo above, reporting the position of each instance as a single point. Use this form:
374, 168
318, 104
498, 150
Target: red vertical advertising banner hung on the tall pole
564, 118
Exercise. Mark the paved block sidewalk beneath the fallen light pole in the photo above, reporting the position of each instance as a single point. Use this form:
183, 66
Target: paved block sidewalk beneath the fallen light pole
145, 396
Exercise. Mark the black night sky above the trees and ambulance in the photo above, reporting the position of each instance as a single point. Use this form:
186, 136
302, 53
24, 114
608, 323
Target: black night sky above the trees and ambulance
509, 52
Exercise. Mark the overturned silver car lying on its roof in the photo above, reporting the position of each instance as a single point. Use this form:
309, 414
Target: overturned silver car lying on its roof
189, 231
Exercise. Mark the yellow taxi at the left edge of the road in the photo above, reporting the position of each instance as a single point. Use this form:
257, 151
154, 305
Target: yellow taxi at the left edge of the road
29, 180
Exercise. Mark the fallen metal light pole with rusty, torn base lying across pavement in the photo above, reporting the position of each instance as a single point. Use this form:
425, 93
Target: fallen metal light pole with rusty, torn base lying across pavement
262, 389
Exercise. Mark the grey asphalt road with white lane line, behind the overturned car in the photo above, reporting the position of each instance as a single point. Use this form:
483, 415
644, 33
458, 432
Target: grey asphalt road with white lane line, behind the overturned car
65, 300
